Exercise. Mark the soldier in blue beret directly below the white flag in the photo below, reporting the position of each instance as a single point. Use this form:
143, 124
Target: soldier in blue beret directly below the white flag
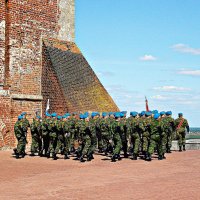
45, 134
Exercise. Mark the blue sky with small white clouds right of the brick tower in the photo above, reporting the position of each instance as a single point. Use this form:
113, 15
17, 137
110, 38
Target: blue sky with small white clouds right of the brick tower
142, 48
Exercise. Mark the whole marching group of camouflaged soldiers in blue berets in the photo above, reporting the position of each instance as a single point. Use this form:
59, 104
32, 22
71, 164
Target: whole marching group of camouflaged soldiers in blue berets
82, 135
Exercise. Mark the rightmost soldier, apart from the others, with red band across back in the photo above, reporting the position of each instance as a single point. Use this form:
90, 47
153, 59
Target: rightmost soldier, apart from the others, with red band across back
181, 126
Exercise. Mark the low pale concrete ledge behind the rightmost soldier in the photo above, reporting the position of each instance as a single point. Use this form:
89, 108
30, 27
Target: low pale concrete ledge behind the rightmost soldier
190, 145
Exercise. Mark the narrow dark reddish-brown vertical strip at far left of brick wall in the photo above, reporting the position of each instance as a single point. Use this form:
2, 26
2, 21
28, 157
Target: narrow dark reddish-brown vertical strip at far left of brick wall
7, 45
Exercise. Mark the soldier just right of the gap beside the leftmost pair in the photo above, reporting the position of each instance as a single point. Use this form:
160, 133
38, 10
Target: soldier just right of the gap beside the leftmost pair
36, 145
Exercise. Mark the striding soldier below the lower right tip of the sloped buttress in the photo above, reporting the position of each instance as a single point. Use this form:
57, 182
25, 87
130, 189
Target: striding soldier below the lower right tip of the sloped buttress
116, 129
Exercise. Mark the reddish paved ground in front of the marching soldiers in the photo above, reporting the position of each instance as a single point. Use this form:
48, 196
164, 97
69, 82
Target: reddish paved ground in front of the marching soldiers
177, 177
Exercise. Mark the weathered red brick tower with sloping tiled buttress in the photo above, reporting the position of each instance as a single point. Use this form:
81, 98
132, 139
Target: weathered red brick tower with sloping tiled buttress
39, 61
